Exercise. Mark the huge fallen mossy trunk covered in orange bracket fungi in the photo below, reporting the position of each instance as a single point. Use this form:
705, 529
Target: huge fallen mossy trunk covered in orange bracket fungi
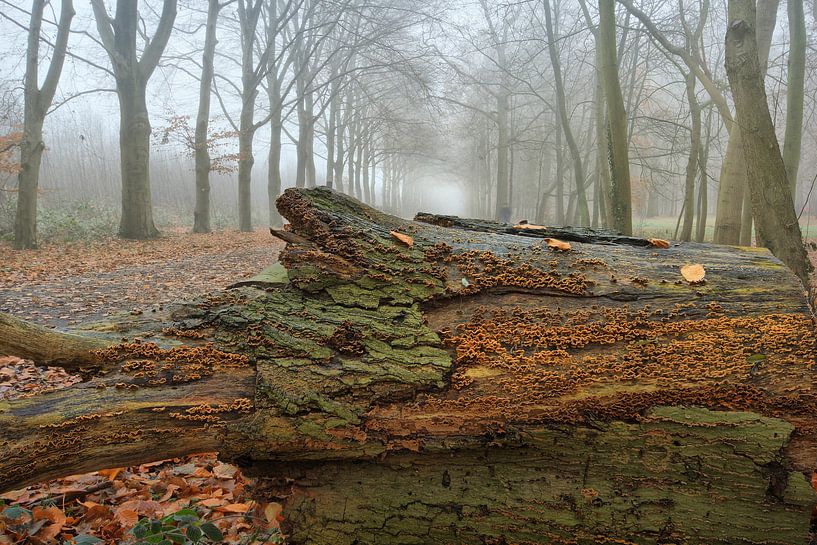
476, 384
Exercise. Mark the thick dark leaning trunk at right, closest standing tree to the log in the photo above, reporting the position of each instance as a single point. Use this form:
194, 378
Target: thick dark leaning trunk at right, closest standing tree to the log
771, 193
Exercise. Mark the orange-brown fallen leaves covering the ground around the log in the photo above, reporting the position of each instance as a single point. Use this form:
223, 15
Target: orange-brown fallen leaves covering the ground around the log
60, 285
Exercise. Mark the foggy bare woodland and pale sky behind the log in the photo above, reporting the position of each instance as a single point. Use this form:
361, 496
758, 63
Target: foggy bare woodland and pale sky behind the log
477, 108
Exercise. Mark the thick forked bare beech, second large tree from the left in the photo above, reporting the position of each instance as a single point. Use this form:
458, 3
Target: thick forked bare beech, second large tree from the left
119, 35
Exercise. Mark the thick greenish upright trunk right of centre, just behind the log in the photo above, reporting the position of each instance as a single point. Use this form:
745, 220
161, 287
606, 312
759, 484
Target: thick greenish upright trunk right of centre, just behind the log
621, 204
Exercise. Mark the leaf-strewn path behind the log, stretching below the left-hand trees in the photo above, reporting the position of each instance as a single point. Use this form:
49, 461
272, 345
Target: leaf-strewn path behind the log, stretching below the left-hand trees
63, 285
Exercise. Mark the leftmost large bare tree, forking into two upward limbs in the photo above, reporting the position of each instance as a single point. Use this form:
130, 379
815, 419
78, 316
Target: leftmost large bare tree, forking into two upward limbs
37, 102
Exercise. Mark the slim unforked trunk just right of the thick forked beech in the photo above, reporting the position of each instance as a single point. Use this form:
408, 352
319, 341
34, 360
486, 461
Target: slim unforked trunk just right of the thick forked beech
201, 212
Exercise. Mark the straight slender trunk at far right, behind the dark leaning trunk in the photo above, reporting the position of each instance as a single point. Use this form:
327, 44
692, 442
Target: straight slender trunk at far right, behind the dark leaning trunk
795, 92
